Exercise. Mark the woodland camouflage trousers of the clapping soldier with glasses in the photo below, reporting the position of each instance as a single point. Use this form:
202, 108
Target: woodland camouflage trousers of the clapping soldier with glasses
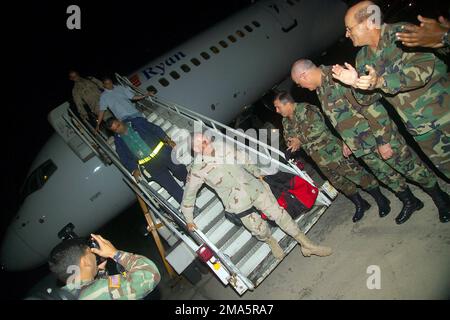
436, 145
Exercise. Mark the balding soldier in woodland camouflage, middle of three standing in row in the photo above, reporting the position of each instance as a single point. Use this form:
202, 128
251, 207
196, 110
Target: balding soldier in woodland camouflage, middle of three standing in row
369, 134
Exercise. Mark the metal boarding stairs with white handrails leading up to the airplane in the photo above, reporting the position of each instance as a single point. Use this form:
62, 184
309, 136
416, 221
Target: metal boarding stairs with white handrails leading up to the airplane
231, 252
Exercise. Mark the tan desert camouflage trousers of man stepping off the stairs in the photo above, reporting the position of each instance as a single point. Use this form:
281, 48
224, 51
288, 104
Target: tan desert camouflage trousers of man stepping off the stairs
267, 203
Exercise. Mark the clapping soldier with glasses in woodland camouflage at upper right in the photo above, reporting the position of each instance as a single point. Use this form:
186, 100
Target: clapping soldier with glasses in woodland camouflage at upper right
415, 83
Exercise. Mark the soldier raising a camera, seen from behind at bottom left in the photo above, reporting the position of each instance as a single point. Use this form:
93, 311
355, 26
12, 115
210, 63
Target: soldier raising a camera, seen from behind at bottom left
141, 275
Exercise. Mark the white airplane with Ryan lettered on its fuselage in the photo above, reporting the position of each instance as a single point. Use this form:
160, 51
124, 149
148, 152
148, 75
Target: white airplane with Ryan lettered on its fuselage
216, 73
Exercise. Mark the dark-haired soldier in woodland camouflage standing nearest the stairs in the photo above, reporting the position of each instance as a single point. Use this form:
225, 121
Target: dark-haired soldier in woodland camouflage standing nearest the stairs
304, 126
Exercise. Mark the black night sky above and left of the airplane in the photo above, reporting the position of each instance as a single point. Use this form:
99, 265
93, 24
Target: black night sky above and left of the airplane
115, 36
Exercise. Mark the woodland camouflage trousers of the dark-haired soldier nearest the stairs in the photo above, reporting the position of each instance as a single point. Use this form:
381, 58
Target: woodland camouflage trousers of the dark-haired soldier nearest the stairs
344, 174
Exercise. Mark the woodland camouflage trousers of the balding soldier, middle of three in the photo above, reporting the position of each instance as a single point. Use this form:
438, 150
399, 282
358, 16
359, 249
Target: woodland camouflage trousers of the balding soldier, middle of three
403, 163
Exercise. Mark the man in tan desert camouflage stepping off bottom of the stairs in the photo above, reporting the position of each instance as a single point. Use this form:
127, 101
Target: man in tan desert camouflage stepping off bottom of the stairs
240, 187
